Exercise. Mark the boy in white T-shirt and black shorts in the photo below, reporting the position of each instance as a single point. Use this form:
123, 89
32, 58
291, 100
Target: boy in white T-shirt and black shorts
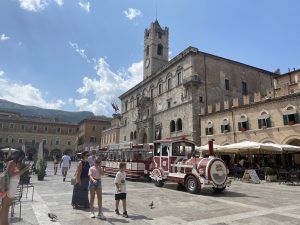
120, 192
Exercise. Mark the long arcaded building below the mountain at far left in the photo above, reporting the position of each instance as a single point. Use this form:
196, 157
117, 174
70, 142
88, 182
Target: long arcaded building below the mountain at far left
19, 132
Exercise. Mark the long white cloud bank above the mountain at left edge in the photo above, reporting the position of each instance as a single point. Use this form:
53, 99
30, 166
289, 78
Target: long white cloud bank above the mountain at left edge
10, 91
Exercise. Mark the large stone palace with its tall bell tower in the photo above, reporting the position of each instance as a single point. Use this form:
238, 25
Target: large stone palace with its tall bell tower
166, 104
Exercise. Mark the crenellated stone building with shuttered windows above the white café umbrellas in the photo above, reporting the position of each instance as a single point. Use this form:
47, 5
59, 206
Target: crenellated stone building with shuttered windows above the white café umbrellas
273, 117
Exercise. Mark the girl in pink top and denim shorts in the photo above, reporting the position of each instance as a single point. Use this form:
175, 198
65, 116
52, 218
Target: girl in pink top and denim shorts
95, 173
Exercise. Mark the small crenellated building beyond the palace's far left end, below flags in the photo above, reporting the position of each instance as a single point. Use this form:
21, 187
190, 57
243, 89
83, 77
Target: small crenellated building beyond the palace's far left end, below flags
111, 135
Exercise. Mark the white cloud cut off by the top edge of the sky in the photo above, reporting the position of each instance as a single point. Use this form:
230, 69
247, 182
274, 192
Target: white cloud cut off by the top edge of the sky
38, 5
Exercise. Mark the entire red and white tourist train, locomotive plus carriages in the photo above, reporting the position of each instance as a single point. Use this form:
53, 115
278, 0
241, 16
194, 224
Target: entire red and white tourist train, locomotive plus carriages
172, 160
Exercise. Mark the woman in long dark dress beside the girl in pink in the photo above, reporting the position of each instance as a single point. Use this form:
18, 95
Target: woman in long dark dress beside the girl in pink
80, 191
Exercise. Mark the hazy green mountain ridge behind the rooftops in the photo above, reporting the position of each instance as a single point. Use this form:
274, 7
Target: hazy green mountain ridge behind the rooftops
36, 112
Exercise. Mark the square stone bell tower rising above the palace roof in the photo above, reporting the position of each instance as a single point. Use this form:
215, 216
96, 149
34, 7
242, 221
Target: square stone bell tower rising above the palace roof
156, 48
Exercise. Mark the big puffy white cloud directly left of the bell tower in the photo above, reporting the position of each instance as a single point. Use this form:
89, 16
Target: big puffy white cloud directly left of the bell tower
106, 88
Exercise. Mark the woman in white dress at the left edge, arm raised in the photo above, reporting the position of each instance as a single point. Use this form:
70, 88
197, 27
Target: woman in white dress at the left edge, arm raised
14, 177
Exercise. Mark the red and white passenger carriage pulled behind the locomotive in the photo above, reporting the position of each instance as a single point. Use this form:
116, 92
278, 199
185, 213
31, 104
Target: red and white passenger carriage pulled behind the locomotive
137, 158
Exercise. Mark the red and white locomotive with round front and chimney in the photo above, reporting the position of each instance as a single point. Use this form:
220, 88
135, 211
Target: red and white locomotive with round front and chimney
175, 161
